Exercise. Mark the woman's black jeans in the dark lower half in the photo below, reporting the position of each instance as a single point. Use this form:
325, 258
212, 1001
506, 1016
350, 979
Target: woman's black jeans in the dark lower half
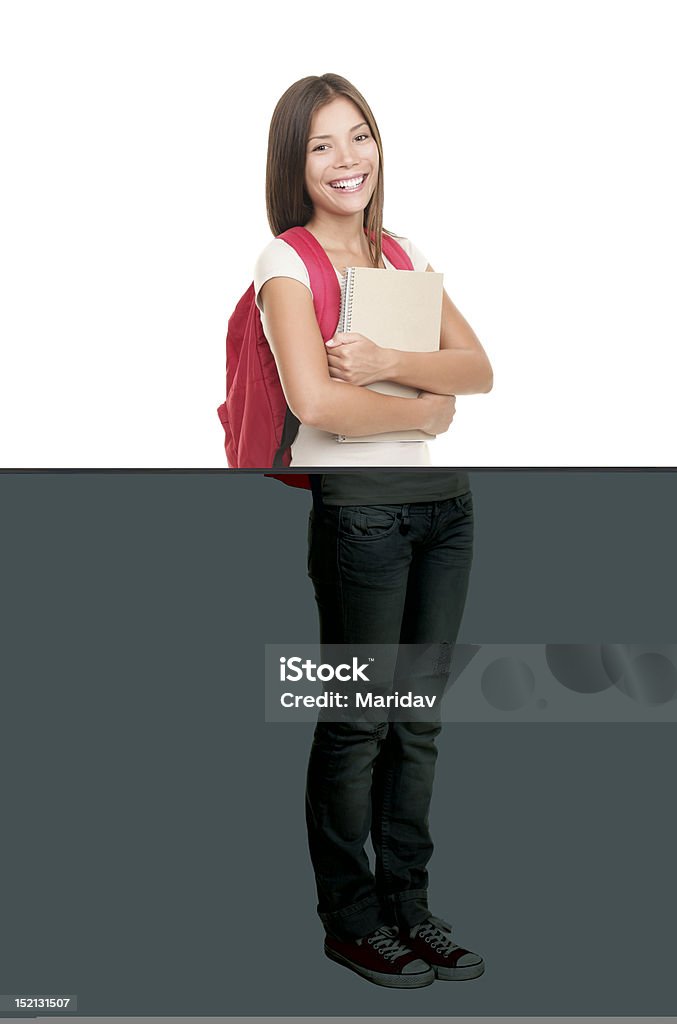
390, 575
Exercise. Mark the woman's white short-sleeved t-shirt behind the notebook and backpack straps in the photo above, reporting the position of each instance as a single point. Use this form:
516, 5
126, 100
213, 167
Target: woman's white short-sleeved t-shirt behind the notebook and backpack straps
319, 448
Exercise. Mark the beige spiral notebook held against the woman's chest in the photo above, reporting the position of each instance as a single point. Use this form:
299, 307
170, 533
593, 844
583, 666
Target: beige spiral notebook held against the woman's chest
396, 310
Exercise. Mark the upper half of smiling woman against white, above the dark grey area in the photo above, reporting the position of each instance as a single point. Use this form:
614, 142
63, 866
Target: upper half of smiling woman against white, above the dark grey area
325, 174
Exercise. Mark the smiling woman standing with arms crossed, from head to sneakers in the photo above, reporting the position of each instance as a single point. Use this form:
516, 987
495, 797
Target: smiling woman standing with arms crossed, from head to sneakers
390, 552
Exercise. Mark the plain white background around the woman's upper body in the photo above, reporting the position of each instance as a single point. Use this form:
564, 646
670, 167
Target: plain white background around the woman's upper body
530, 154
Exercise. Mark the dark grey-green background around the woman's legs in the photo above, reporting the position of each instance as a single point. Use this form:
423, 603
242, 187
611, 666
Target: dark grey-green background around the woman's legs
154, 846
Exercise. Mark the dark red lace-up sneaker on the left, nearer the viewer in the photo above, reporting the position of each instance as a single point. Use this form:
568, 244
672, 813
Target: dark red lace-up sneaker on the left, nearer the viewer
383, 959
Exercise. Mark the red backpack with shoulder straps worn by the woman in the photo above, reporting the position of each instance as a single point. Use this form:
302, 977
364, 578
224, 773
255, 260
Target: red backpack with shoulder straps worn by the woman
260, 426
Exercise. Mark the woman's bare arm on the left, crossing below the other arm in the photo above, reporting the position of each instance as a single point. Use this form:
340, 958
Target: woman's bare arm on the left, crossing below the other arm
314, 397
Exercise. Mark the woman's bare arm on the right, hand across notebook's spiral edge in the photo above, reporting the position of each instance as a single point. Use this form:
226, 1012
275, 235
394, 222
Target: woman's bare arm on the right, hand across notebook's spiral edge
461, 366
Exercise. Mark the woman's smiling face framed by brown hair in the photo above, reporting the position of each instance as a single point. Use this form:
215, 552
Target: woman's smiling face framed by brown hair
342, 161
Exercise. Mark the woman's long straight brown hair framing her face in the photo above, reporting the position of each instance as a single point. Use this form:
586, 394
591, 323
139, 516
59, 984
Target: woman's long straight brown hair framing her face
287, 201
